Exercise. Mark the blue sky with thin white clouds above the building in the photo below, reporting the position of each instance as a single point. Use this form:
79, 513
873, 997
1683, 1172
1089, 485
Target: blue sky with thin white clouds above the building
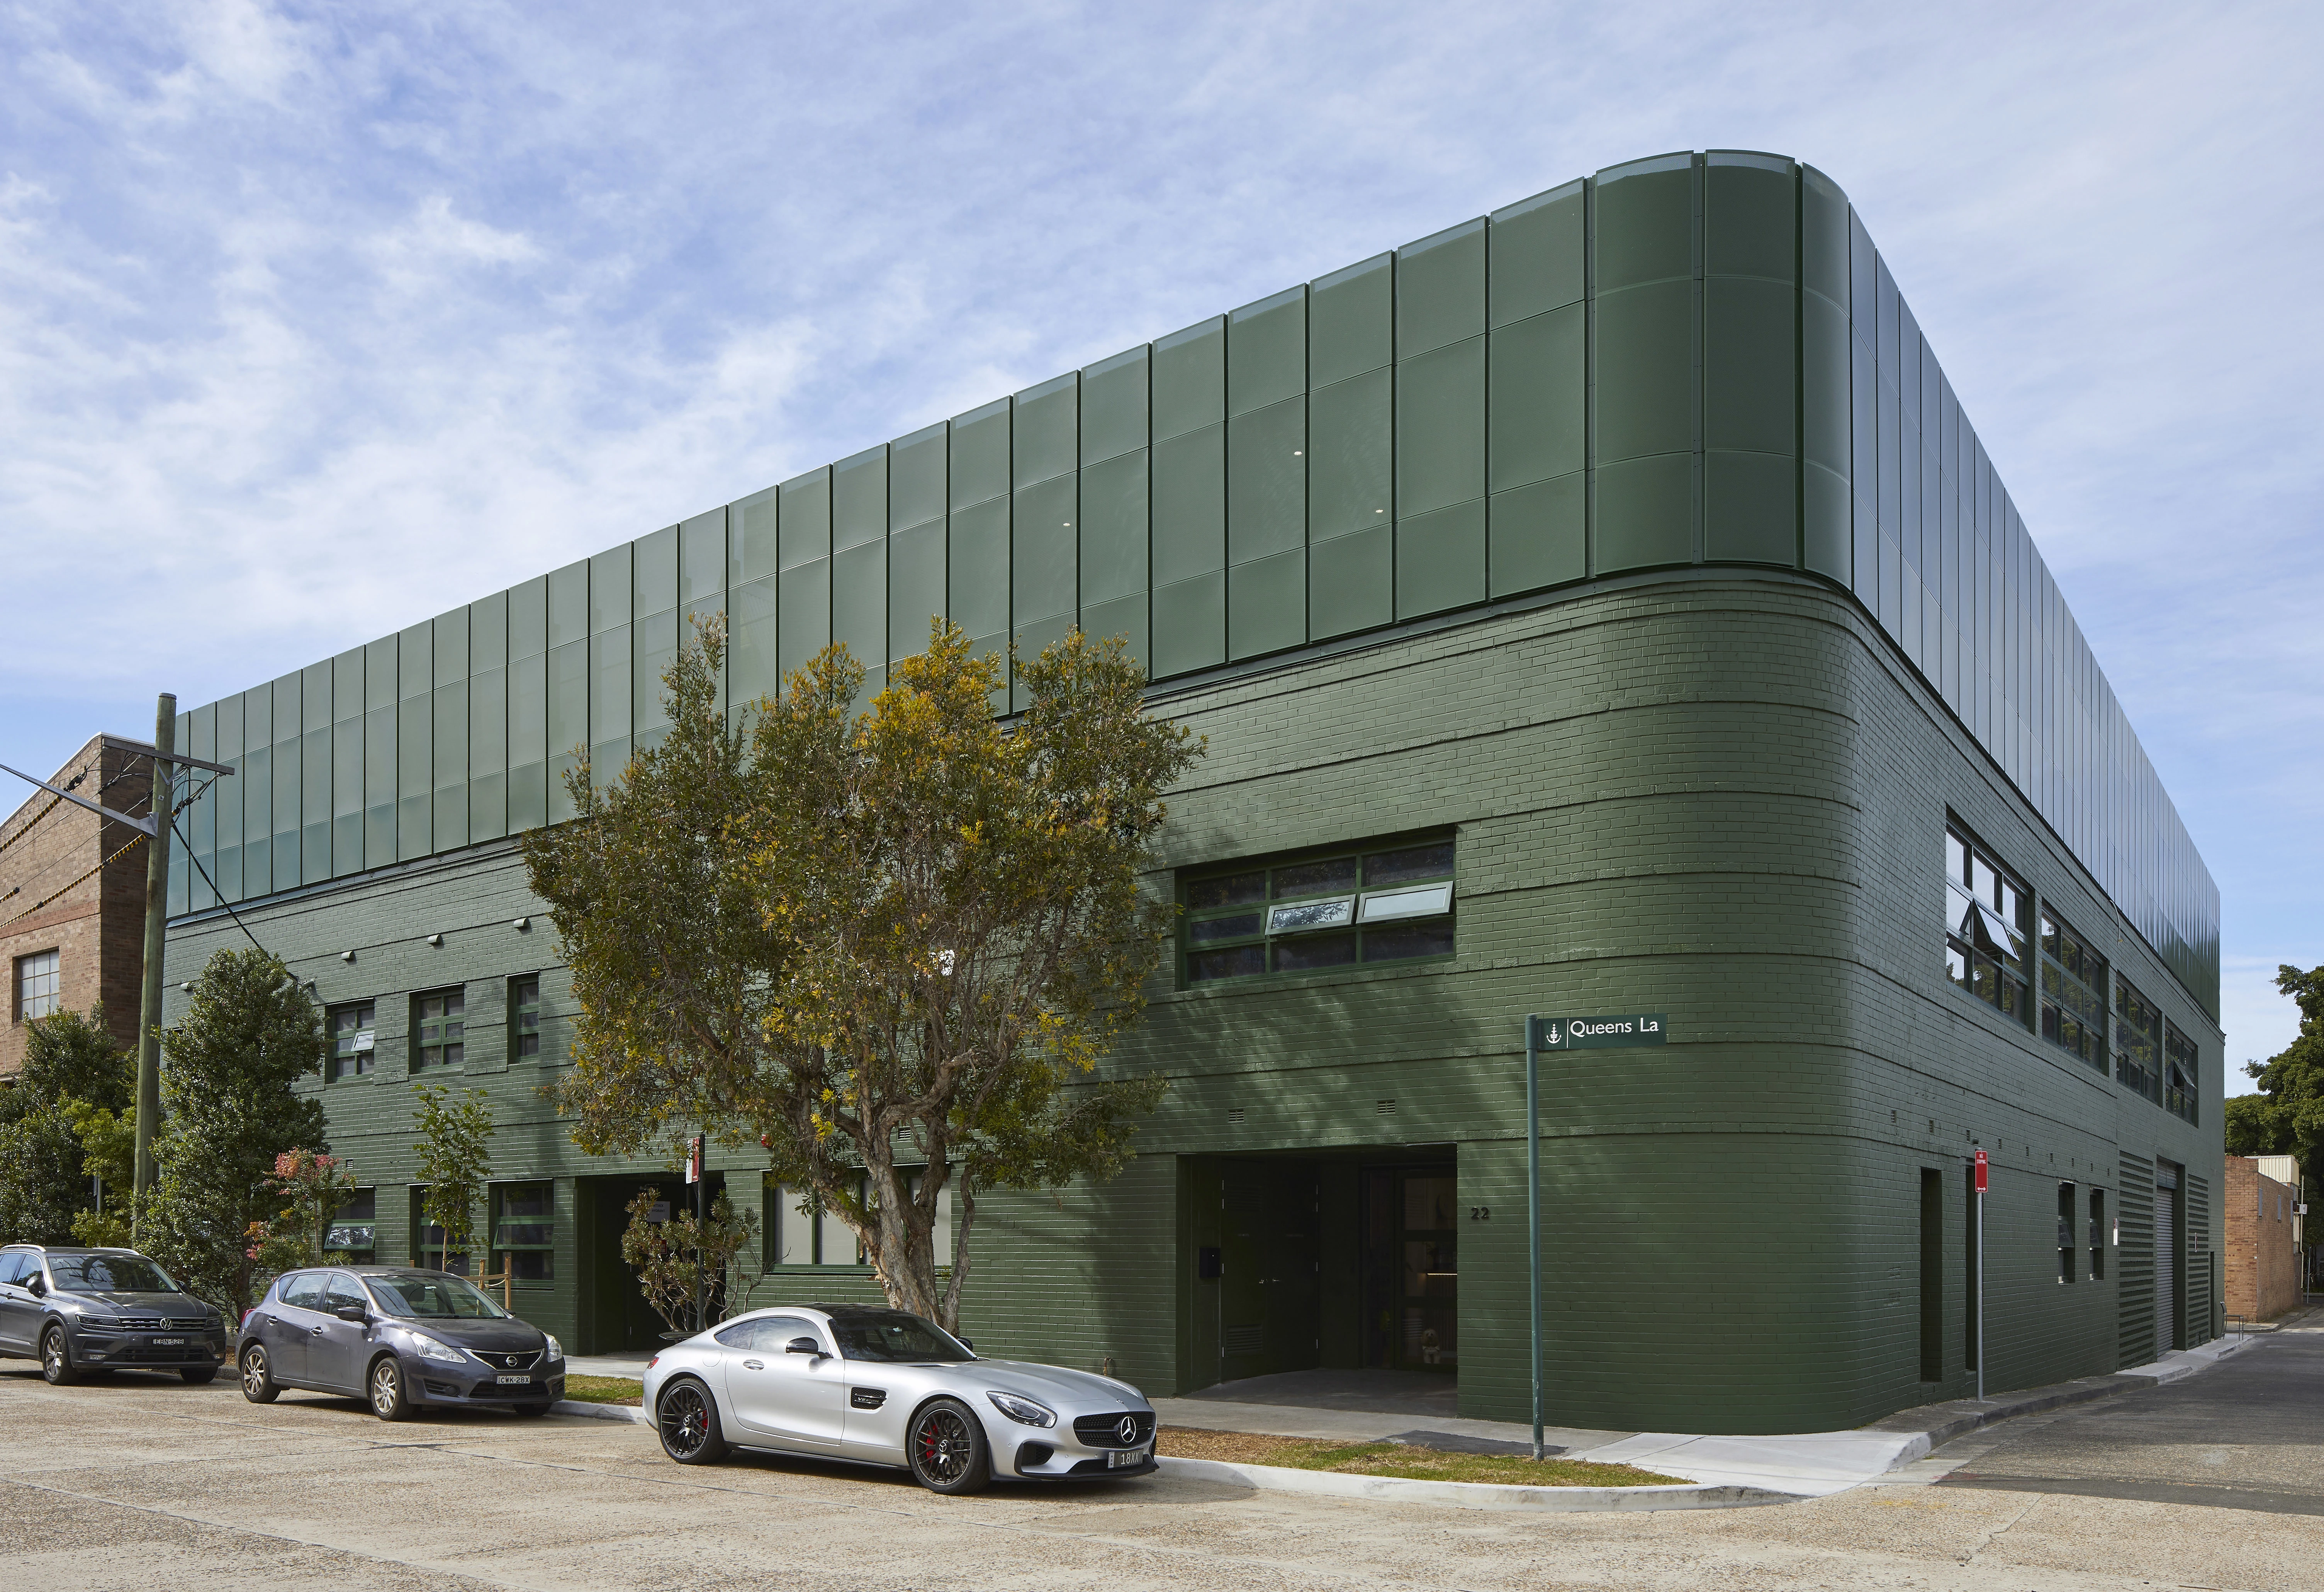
322, 320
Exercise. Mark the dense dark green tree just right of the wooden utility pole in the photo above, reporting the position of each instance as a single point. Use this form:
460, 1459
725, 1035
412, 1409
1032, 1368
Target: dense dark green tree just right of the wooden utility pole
231, 1107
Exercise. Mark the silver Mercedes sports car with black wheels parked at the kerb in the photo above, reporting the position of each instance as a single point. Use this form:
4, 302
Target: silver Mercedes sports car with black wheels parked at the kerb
882, 1386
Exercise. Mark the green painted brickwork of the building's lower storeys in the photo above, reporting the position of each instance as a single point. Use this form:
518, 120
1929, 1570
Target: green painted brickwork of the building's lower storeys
1709, 796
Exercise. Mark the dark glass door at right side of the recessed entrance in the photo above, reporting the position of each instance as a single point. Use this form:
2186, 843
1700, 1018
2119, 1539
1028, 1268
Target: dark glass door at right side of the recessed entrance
1412, 1268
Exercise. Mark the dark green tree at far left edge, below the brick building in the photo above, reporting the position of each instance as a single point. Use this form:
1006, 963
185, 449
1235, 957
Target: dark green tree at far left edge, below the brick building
71, 1068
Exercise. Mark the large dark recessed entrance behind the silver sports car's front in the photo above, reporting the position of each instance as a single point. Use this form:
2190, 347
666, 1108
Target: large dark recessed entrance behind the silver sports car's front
1324, 1261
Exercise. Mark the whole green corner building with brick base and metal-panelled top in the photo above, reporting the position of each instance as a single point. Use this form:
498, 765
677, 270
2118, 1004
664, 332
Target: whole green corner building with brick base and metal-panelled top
1602, 605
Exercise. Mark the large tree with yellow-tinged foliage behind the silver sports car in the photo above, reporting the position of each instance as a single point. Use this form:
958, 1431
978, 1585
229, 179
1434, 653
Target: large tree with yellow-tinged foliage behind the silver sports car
891, 947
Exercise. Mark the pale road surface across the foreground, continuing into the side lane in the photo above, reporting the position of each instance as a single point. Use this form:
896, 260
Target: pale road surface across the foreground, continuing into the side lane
143, 1484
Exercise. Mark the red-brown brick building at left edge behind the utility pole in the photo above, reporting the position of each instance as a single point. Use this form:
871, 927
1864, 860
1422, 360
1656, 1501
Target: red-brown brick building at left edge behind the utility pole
73, 896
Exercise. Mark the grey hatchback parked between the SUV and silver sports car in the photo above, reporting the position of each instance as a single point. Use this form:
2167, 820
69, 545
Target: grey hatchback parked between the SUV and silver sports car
396, 1338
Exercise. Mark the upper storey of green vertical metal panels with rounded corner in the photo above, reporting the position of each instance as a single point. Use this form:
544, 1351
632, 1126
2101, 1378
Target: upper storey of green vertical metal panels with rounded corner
1688, 361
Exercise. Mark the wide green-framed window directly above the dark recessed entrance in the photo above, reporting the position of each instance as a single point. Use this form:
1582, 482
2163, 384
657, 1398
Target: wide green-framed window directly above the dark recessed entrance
1386, 903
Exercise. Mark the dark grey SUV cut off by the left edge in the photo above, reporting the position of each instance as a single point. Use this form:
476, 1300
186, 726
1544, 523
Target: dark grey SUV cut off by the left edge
83, 1310
